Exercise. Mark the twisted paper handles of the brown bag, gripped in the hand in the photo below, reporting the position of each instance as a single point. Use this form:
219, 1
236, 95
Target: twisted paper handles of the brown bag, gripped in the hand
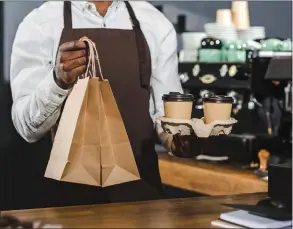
93, 57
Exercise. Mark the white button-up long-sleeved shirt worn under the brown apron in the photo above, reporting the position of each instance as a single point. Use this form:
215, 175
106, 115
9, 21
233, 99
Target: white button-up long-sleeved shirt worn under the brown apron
37, 99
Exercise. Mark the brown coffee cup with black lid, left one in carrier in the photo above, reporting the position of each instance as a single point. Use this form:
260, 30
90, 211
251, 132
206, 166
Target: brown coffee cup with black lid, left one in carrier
177, 105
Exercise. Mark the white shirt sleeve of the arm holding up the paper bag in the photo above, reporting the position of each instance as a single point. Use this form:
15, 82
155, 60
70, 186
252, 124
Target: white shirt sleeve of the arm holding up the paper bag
36, 97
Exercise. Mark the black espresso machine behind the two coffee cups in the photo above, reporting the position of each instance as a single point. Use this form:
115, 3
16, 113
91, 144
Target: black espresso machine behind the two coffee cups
262, 92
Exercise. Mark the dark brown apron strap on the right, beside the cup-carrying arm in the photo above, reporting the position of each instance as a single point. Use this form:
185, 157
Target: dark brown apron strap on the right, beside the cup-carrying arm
143, 51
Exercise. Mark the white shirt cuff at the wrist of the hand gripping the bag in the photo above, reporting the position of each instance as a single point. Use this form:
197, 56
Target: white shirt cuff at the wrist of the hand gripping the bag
50, 91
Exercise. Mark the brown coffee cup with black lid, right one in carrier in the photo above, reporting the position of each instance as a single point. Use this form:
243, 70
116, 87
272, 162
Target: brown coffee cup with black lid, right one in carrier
217, 108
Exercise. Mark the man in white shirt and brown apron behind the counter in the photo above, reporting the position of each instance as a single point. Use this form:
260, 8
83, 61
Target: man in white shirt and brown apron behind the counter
137, 49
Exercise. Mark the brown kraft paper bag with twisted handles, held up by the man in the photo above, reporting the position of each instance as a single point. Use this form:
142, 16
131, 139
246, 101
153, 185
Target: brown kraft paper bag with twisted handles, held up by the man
91, 145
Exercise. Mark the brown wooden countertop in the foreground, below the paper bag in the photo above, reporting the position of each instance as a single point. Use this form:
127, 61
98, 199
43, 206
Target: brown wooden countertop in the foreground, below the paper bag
192, 213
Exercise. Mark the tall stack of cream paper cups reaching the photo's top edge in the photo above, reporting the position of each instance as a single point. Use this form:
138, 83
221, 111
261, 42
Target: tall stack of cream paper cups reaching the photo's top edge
240, 14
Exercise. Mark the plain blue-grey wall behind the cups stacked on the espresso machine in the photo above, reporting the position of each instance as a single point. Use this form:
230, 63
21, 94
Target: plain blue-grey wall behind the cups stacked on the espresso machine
275, 16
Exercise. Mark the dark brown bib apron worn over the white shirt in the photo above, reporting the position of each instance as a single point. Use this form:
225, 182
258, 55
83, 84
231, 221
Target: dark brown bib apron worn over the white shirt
126, 63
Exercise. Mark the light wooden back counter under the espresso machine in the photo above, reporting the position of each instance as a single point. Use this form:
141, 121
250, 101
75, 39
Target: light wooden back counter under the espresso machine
207, 178
